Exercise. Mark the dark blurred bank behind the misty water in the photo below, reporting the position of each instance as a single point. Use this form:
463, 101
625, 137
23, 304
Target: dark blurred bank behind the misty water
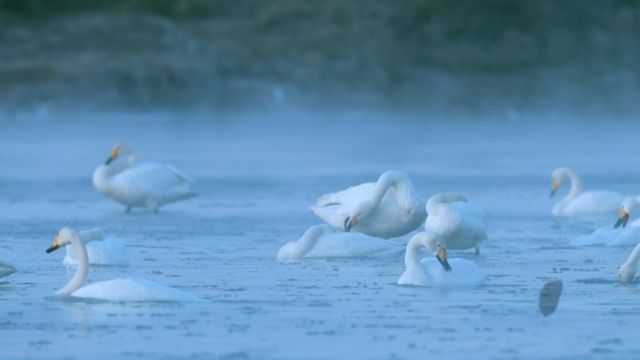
454, 56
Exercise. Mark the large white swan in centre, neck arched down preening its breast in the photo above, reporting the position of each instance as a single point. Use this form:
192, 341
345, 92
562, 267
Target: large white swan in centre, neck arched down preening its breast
387, 208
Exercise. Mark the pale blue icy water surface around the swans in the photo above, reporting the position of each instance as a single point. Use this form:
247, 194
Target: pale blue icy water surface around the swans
256, 179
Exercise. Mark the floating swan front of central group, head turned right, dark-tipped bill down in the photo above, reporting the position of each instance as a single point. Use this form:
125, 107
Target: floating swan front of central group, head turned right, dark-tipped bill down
440, 271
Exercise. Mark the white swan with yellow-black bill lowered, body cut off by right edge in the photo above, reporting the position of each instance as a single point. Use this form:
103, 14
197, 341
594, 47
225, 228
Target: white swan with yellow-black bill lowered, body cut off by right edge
622, 233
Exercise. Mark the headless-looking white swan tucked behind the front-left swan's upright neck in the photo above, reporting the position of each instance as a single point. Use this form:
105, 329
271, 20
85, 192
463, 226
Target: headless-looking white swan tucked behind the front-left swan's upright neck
102, 250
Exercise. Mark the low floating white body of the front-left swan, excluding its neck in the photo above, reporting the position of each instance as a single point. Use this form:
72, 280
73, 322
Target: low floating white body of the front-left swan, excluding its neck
132, 289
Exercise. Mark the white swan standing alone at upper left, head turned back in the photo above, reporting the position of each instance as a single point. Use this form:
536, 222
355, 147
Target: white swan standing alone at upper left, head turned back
145, 184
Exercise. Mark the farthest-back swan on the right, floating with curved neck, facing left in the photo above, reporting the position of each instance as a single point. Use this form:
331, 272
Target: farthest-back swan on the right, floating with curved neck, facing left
579, 202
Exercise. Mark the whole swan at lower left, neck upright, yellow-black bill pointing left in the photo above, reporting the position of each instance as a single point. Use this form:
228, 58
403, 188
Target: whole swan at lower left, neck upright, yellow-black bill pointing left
128, 289
